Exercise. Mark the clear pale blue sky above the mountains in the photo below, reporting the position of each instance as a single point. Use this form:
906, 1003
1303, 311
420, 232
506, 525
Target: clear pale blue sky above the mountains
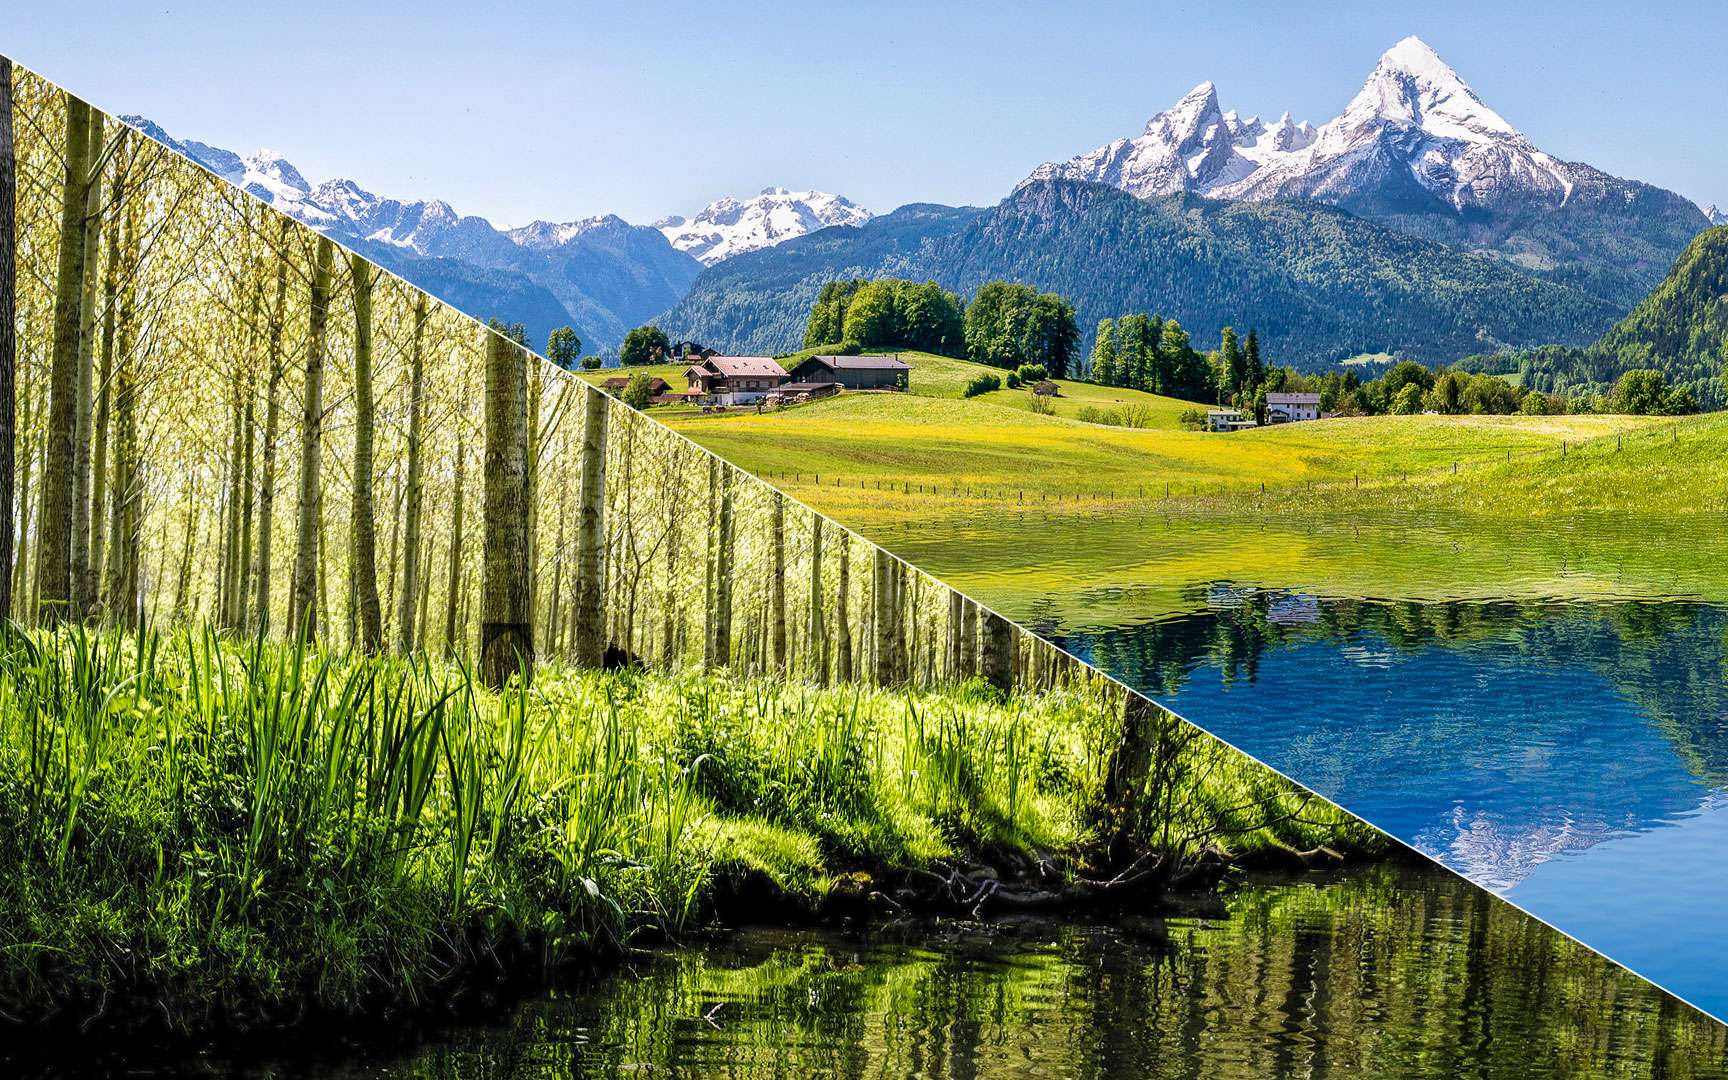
571, 110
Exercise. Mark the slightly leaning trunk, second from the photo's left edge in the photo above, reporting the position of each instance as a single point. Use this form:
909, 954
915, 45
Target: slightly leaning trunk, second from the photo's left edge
54, 557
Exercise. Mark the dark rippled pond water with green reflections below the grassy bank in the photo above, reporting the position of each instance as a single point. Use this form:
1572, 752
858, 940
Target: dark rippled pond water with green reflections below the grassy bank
1388, 972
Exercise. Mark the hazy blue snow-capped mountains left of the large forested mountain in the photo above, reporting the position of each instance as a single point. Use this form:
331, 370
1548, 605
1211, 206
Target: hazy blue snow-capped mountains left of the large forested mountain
602, 276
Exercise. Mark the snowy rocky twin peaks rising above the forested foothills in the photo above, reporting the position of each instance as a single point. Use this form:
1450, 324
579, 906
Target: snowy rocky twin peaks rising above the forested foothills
1420, 151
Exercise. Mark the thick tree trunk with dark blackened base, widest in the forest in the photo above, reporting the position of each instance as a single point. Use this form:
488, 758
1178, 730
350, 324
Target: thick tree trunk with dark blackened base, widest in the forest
507, 621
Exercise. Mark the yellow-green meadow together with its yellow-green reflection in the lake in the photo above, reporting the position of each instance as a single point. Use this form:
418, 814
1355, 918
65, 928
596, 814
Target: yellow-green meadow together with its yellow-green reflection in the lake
1098, 524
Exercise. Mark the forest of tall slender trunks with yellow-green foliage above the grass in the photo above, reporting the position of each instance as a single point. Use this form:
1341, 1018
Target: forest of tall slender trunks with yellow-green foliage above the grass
226, 419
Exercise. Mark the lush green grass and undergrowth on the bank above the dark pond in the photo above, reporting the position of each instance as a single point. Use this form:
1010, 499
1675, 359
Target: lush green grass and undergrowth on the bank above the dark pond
210, 830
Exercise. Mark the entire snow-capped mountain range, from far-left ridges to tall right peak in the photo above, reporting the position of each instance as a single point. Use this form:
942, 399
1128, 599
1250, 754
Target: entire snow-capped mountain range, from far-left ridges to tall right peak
1418, 222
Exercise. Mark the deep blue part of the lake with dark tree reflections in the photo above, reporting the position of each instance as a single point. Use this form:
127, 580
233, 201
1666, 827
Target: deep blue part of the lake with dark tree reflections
1570, 756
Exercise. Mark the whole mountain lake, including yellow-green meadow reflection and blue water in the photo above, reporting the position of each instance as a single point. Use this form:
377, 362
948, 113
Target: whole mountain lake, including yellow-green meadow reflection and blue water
1558, 730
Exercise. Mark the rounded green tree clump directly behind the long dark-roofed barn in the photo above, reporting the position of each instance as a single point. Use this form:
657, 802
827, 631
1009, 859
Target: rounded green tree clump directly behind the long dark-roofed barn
887, 312
